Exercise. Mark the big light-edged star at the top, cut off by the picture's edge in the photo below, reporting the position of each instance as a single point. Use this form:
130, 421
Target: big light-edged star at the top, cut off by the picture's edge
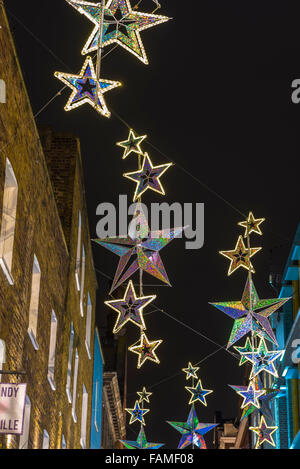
121, 25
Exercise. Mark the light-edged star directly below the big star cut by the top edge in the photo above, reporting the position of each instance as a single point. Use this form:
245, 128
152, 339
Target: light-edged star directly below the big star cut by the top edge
84, 88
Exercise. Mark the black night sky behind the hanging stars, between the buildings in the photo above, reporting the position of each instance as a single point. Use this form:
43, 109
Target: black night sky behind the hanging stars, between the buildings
216, 99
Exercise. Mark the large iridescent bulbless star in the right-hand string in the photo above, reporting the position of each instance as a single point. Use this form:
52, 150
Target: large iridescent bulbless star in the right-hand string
246, 321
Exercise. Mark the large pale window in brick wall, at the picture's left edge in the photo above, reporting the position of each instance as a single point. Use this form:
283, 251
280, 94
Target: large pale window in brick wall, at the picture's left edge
9, 213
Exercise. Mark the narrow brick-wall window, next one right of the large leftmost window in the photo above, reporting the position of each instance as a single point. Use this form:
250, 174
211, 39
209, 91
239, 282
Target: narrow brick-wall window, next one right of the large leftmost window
34, 302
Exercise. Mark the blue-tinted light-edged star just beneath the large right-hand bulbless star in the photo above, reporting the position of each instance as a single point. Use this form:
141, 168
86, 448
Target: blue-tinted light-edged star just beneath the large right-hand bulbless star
263, 359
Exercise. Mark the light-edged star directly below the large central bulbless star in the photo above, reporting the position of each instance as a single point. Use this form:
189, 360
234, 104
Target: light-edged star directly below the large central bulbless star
130, 308
